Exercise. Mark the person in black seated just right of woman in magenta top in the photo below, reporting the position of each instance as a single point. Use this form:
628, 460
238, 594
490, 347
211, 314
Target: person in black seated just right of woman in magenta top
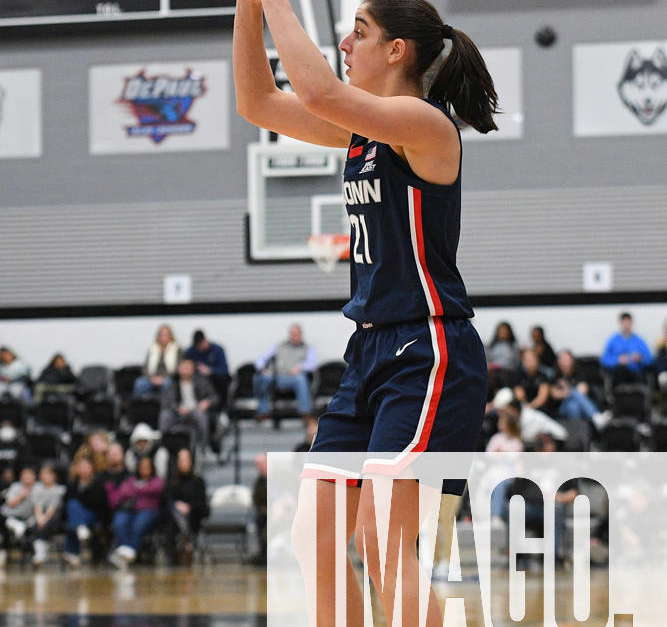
188, 506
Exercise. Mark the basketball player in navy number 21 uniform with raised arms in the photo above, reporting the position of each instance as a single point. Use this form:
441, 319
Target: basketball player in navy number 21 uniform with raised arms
416, 375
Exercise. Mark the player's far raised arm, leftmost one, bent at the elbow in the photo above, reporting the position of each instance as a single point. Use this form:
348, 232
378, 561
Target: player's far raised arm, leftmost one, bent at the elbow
258, 100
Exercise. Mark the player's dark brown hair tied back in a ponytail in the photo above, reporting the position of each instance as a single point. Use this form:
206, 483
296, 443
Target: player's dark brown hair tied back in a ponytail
463, 82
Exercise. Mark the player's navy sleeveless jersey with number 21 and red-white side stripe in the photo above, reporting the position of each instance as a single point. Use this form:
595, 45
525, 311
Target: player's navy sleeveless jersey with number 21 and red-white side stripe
404, 237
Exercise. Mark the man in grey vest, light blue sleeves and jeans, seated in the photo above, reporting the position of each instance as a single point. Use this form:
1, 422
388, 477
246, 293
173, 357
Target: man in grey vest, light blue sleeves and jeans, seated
286, 365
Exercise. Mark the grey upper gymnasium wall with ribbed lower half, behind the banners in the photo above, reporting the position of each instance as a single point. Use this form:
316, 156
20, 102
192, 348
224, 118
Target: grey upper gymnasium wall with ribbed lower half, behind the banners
83, 230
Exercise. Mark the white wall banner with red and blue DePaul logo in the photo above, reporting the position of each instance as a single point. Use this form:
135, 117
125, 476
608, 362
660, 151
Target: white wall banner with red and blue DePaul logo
159, 107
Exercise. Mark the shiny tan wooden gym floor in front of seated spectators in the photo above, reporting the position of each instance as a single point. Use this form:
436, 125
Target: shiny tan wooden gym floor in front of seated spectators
228, 595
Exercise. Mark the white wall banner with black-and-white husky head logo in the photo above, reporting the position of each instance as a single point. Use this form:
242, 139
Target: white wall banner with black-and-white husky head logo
620, 89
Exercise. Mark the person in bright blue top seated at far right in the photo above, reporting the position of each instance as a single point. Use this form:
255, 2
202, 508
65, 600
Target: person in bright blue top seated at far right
626, 355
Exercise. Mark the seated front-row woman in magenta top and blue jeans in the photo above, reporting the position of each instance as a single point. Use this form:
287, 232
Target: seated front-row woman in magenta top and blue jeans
136, 503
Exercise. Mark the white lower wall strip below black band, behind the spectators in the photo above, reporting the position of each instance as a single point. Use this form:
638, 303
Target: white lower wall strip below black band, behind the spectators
118, 341
